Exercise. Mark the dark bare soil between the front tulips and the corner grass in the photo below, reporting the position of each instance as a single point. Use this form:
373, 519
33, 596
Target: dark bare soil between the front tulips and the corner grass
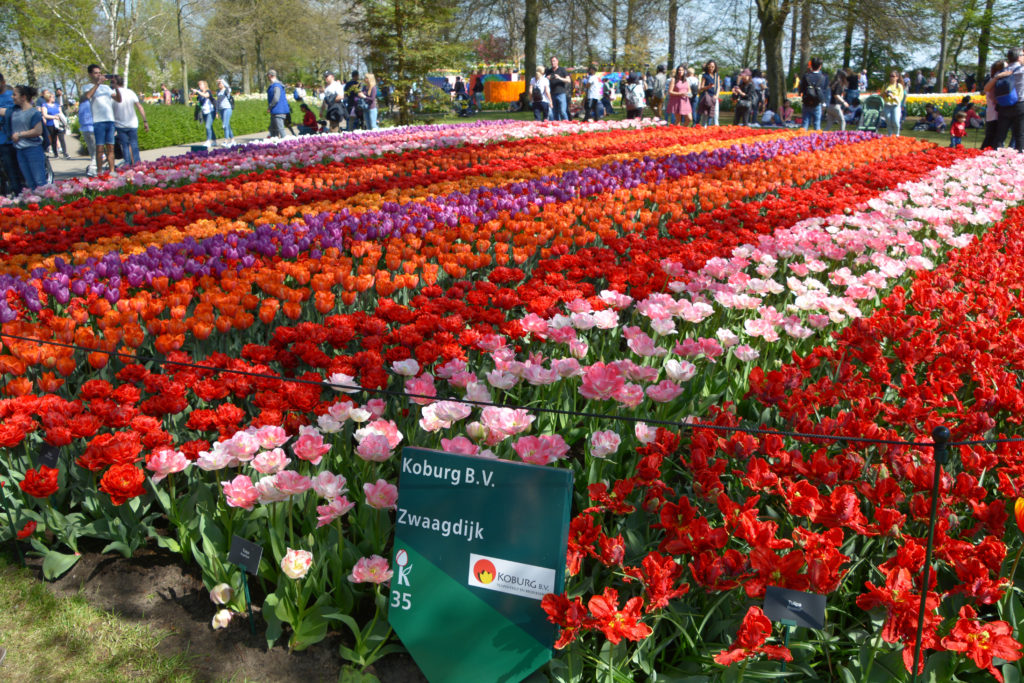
154, 588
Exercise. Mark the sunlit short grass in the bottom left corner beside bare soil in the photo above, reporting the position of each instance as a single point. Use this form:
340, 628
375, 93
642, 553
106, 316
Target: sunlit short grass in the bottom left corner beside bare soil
67, 639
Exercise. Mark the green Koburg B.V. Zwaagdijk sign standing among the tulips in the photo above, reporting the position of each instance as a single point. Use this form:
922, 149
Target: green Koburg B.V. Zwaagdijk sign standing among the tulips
478, 544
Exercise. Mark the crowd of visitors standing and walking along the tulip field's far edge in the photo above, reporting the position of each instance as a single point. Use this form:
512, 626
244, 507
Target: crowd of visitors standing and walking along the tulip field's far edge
35, 124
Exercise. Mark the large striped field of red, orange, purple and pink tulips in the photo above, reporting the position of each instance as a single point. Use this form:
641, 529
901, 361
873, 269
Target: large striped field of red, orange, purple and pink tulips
241, 343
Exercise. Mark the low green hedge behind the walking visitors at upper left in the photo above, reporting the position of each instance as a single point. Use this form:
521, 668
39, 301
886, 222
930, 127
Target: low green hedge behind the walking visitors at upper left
175, 125
